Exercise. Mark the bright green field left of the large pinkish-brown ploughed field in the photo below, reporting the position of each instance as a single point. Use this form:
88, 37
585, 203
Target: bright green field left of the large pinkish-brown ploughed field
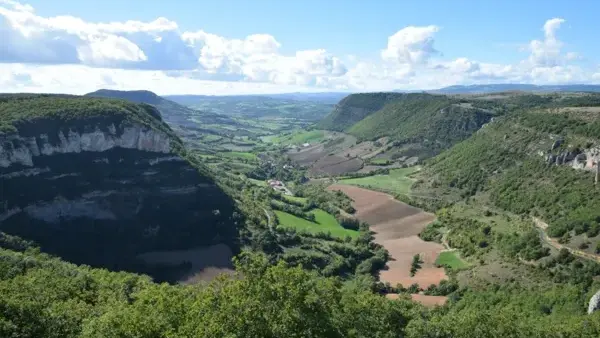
324, 222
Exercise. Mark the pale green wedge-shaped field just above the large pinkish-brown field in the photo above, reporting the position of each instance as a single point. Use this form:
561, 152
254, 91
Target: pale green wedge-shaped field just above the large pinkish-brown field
396, 182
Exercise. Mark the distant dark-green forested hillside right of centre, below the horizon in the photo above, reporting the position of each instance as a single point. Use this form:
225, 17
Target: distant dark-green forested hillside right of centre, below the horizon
418, 124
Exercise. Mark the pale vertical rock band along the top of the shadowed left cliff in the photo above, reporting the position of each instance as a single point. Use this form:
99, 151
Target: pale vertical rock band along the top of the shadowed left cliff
16, 149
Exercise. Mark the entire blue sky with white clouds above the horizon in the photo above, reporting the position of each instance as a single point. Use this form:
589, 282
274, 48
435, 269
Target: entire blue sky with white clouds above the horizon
231, 47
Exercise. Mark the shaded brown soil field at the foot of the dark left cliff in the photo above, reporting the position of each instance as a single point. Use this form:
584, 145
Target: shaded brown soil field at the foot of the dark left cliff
206, 262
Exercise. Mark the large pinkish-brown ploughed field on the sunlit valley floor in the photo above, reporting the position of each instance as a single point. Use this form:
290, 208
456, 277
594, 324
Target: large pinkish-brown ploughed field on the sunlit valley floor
396, 226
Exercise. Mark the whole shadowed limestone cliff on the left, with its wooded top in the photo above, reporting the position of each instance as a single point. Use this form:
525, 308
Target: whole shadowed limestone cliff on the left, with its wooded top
98, 181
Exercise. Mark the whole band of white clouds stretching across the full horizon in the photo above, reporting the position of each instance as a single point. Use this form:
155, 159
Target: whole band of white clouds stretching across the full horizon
68, 54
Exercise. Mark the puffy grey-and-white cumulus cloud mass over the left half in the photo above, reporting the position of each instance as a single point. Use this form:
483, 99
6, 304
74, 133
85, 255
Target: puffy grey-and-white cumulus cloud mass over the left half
155, 45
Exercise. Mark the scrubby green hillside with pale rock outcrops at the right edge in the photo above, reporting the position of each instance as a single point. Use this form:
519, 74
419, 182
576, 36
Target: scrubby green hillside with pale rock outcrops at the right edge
536, 161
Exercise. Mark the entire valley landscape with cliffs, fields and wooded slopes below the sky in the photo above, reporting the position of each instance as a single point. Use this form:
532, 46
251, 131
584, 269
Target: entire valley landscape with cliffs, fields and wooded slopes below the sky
435, 202
